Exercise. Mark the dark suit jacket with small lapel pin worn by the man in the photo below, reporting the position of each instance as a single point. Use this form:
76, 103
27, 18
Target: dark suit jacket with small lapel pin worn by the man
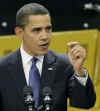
60, 79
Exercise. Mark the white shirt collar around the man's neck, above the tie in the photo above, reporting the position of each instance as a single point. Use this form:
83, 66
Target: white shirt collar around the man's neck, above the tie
27, 58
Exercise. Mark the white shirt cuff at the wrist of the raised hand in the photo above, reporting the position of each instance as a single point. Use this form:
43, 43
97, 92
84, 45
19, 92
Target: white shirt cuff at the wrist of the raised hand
82, 80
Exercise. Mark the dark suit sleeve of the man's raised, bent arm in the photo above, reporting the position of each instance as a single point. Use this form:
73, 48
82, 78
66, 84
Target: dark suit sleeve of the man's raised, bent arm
80, 96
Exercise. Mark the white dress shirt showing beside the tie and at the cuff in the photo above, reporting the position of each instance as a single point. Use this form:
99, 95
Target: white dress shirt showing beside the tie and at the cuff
27, 62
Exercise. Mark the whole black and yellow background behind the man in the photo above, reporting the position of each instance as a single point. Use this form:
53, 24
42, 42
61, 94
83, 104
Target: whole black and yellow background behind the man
73, 20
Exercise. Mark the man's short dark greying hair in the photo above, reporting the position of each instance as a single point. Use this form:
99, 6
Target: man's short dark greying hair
27, 10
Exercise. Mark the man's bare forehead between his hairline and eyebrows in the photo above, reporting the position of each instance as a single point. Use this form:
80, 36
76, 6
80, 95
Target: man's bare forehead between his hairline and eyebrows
39, 20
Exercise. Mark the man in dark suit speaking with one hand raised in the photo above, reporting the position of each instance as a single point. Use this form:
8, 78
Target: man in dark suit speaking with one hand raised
64, 74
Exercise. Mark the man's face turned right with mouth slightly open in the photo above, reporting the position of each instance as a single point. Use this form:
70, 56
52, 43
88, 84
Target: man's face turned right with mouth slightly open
36, 35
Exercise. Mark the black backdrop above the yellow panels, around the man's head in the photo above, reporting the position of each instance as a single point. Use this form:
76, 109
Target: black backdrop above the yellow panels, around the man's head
66, 14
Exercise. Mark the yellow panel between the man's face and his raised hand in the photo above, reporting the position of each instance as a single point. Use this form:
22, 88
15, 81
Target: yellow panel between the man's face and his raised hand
88, 38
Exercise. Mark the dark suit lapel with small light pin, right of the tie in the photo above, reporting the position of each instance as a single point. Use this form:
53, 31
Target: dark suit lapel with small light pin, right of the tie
48, 73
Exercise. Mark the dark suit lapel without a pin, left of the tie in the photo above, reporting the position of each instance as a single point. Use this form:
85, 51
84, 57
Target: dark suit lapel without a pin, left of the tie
17, 73
